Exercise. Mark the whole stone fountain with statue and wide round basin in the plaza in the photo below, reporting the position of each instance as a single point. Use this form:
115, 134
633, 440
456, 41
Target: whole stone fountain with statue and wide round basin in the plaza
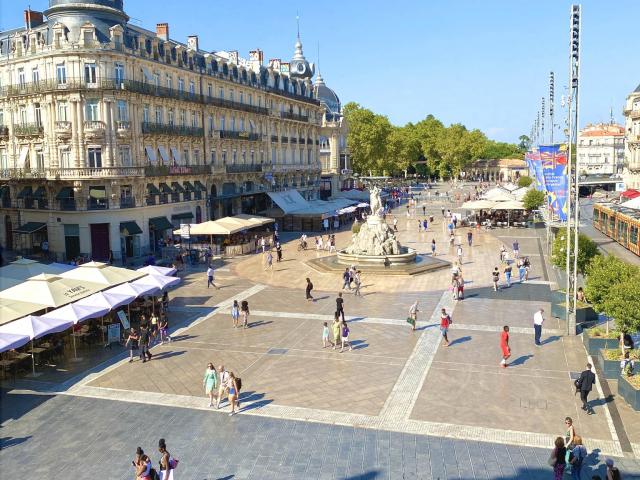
374, 248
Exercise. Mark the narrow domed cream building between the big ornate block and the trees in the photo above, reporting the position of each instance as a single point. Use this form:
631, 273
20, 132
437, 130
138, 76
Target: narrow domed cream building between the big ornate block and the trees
334, 153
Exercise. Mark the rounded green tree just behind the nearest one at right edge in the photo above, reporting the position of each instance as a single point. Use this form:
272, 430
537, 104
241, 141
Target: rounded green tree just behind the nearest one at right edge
602, 274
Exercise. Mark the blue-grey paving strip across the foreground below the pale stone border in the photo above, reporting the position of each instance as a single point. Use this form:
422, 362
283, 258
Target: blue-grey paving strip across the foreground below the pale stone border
41, 437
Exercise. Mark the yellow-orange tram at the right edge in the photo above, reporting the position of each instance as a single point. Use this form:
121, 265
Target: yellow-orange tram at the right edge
619, 223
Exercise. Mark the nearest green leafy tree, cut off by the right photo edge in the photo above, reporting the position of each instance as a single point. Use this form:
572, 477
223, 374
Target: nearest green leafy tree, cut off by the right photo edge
622, 304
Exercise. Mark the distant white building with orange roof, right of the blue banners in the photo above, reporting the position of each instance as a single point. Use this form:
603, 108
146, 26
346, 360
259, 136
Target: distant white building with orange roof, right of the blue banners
600, 149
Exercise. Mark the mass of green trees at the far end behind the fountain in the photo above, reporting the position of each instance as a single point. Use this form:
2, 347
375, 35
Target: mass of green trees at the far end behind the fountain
379, 147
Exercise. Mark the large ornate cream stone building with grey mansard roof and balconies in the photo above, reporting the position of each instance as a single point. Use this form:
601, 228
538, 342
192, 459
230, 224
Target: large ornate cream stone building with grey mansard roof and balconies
111, 135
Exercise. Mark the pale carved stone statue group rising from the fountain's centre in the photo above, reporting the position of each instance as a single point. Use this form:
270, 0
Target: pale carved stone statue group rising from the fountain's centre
375, 237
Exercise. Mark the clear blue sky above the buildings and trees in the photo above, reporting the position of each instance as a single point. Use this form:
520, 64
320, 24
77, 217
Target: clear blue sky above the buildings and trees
482, 63
